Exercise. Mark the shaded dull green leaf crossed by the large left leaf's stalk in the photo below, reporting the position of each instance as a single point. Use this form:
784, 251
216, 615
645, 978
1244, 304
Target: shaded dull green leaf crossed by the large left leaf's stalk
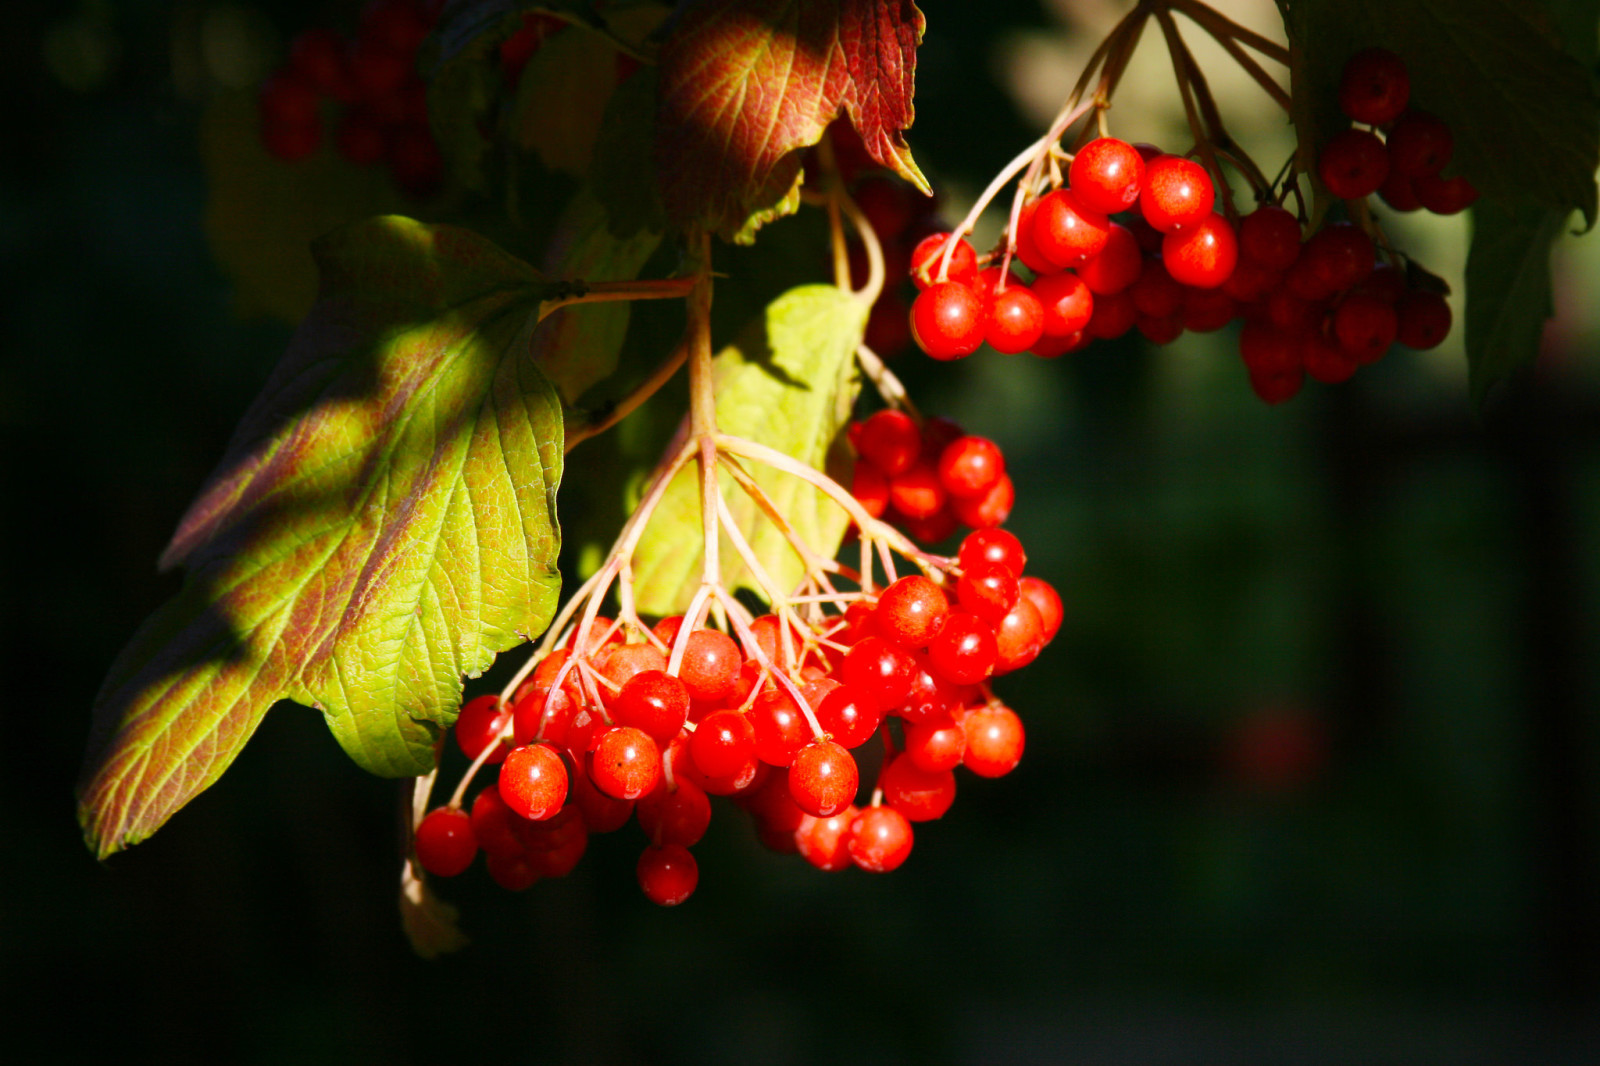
578, 347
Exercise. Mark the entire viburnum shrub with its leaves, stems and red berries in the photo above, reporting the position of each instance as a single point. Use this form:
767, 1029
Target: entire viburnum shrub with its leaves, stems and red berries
804, 615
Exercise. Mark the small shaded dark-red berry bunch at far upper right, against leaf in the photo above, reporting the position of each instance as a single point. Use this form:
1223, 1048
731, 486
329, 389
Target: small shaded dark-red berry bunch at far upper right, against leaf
1406, 166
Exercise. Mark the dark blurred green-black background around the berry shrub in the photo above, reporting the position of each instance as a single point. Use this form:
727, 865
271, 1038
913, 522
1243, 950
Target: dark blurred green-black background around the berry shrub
1311, 771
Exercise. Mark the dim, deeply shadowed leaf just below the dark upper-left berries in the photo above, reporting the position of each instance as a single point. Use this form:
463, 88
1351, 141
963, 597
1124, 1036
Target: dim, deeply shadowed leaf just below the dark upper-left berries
263, 214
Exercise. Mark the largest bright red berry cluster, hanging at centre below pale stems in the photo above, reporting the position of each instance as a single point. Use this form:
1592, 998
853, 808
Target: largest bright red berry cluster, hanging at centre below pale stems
652, 727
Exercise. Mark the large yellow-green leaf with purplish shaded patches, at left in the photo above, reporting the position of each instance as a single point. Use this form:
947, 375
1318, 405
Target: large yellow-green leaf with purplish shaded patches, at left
382, 526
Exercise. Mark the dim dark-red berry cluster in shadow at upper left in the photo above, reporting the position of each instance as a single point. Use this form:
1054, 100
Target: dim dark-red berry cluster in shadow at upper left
372, 78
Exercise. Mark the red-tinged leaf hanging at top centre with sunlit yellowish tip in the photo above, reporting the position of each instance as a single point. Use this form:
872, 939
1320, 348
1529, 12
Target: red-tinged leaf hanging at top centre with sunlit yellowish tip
748, 84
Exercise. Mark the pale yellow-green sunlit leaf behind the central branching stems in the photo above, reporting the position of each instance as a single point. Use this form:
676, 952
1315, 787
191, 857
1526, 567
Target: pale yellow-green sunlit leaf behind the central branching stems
790, 382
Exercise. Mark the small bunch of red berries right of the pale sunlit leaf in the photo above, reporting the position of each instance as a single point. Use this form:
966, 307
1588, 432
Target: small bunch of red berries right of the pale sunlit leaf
929, 479
